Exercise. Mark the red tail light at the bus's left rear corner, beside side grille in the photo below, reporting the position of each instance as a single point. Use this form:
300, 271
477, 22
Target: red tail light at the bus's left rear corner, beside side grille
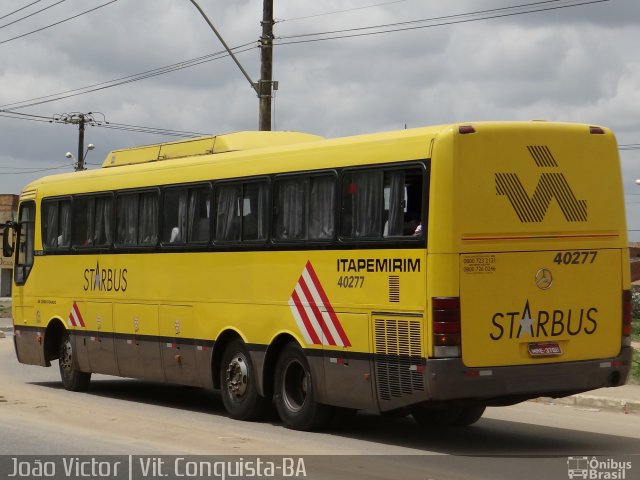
445, 317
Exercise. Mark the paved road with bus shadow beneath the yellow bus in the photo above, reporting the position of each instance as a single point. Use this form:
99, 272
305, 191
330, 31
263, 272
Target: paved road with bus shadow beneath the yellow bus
119, 416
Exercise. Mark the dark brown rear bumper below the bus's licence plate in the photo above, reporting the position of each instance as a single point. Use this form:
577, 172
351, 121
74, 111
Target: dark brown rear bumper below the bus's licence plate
450, 379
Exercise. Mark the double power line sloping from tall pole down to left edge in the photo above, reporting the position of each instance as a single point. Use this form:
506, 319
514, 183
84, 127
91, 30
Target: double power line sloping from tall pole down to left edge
136, 77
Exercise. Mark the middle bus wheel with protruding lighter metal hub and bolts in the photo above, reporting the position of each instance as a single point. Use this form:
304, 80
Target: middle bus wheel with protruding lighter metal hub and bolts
238, 384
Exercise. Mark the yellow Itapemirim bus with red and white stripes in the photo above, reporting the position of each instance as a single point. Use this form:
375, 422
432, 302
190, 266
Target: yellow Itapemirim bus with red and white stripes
433, 271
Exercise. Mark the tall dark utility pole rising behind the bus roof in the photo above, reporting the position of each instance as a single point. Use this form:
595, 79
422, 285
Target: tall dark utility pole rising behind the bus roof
266, 66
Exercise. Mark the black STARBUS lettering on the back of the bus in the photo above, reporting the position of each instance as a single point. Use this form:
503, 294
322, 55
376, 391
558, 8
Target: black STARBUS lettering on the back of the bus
543, 323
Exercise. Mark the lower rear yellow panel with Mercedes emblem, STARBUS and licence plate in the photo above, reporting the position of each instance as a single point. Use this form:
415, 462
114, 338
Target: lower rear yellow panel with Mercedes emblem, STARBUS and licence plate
540, 307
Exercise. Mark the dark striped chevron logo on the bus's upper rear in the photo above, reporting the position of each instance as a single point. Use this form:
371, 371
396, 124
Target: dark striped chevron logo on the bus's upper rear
551, 185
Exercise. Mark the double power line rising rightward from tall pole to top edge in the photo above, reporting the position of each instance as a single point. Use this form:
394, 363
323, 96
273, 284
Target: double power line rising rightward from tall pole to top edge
448, 20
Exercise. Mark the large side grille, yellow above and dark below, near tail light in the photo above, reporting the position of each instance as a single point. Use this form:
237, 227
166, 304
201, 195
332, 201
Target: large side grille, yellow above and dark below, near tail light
398, 358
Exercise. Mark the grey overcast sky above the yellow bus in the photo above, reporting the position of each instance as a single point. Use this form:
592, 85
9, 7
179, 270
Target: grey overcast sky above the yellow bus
568, 64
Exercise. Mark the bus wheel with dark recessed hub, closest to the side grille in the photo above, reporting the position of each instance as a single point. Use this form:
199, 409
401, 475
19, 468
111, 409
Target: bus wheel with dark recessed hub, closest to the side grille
294, 394
